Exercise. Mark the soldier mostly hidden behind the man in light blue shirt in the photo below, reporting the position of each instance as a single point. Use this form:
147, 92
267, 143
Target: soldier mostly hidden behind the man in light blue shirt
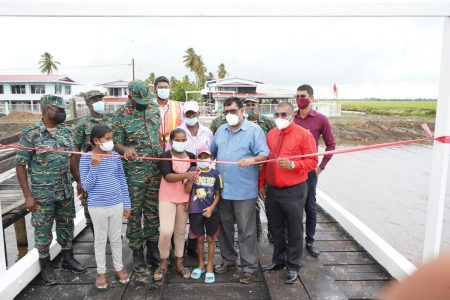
266, 124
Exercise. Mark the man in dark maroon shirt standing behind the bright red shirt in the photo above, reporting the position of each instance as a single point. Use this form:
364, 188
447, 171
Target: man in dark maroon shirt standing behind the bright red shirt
318, 125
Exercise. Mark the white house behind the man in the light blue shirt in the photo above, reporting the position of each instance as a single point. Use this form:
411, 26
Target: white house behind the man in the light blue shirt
217, 90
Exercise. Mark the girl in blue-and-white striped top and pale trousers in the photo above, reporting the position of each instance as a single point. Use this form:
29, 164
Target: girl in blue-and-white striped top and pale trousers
103, 178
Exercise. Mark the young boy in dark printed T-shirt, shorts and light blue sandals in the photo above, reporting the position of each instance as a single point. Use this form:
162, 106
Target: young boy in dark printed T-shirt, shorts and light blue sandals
203, 216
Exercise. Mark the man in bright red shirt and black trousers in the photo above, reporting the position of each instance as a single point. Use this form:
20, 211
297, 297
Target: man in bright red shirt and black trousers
284, 183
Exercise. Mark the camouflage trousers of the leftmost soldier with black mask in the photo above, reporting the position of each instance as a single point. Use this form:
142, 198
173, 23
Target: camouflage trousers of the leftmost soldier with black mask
60, 209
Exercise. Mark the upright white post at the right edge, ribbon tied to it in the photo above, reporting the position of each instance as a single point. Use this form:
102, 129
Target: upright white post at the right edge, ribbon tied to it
441, 152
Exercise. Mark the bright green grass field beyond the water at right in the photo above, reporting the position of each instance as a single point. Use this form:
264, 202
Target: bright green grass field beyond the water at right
395, 108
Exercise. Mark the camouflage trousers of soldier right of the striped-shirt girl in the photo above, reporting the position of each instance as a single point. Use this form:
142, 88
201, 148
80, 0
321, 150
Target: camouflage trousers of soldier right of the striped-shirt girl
143, 224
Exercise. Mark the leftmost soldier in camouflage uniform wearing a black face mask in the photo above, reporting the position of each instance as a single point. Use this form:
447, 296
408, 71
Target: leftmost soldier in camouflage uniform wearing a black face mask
51, 196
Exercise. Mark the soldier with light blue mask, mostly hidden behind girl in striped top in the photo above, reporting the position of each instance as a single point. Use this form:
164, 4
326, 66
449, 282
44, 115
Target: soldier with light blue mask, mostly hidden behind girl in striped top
82, 132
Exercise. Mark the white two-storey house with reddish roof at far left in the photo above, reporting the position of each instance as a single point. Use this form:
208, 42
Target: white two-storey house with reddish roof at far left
23, 92
